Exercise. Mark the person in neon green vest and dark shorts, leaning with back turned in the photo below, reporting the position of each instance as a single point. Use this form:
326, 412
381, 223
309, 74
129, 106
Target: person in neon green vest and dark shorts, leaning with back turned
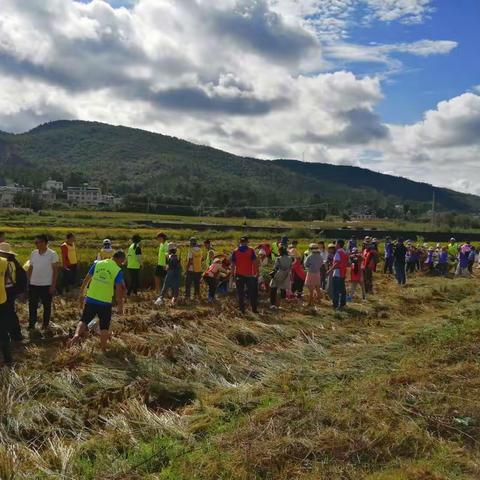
103, 281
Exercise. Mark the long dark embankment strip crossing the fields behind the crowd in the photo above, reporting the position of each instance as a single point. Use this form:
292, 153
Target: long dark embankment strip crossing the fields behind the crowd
327, 232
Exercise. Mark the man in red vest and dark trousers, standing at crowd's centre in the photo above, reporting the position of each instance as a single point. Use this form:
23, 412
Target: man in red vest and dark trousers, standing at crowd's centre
245, 269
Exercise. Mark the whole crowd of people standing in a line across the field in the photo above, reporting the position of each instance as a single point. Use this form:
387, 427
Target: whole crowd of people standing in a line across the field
279, 270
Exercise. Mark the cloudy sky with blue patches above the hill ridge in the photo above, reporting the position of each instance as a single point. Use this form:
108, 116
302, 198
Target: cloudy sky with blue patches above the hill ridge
390, 85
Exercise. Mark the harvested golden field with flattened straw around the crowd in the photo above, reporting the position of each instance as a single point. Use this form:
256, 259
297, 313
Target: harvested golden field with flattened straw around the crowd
387, 389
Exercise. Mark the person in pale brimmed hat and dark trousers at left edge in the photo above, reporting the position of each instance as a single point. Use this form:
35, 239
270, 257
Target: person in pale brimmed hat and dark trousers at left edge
15, 285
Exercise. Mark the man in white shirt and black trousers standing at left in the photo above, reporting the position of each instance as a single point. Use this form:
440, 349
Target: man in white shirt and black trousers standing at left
42, 275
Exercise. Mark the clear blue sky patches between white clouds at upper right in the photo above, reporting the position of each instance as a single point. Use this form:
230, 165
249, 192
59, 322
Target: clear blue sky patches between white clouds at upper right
426, 82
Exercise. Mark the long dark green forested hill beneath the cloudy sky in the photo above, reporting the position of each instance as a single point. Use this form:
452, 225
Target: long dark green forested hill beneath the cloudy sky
141, 164
